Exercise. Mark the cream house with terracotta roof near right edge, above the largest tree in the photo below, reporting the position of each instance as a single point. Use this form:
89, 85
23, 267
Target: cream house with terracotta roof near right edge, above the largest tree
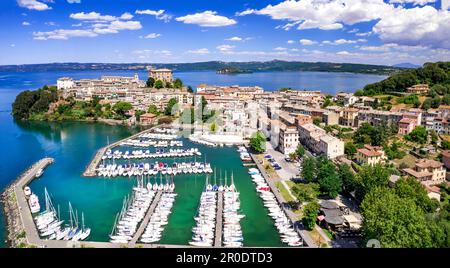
429, 172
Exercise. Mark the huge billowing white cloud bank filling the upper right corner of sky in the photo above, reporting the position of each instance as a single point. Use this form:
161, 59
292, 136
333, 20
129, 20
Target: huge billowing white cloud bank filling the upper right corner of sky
396, 23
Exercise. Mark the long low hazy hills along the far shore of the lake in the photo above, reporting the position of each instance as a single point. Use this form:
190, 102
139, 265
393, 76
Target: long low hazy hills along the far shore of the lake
255, 66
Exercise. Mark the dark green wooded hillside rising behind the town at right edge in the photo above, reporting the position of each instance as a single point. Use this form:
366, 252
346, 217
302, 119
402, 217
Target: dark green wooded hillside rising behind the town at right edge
432, 74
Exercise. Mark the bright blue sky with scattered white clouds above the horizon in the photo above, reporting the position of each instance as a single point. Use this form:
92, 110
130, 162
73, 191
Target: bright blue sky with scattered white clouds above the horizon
150, 31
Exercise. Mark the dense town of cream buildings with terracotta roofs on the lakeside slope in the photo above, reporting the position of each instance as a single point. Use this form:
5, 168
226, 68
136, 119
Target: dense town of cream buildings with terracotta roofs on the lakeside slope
291, 122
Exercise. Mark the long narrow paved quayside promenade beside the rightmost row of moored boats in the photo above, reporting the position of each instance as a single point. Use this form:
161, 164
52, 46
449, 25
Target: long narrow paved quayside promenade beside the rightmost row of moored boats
307, 240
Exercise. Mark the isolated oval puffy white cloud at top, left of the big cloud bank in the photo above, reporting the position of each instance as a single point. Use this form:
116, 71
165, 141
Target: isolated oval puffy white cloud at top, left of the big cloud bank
207, 19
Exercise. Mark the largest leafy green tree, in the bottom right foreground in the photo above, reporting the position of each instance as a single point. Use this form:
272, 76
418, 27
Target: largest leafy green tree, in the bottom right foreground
394, 221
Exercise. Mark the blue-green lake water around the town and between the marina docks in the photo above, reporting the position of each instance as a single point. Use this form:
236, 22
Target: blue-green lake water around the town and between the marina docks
73, 144
